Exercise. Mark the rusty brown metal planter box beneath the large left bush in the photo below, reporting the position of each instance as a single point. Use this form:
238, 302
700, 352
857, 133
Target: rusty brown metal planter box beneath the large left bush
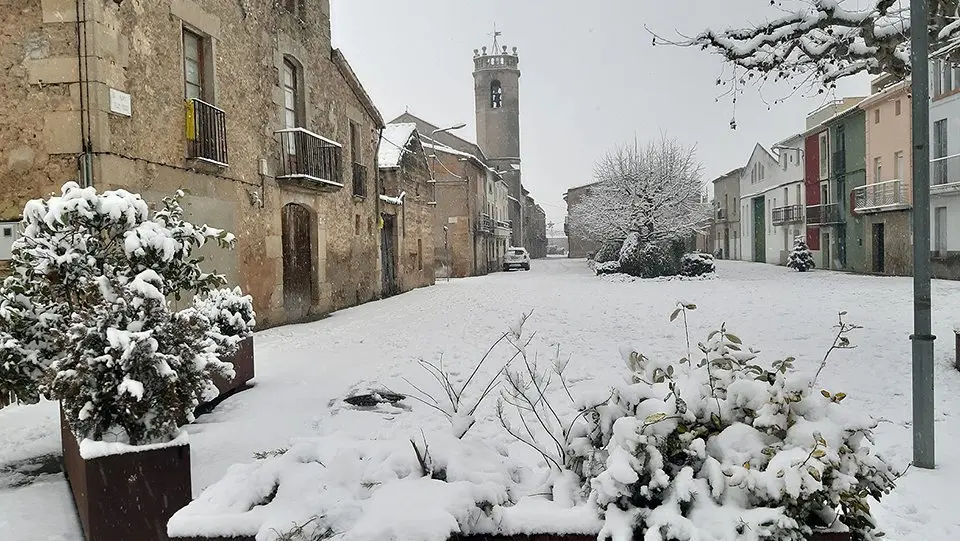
127, 496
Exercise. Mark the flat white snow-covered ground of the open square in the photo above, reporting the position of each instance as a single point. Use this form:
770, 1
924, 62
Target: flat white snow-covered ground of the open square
303, 370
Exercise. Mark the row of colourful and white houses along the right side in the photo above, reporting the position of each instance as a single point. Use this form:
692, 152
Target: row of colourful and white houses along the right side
844, 183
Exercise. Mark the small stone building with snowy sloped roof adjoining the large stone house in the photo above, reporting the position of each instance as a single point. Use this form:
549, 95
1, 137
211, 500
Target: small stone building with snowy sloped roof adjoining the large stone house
408, 200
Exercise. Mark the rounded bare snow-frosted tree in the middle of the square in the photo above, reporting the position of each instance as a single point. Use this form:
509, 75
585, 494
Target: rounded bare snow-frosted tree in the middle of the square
653, 191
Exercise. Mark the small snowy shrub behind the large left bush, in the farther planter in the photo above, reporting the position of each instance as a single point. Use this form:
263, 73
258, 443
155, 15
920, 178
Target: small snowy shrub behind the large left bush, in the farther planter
231, 317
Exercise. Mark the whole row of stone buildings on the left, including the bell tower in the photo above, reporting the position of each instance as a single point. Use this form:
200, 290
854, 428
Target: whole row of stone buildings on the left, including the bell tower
248, 108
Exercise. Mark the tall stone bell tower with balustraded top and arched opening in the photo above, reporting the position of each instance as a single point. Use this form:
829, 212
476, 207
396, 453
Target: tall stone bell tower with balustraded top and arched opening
496, 77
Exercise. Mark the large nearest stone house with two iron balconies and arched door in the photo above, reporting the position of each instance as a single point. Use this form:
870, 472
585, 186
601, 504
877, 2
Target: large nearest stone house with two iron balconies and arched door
244, 105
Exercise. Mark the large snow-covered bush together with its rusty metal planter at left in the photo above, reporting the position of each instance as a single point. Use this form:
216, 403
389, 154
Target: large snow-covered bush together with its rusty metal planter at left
87, 322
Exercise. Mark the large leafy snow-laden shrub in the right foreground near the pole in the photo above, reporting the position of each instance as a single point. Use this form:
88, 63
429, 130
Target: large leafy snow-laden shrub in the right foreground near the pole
727, 449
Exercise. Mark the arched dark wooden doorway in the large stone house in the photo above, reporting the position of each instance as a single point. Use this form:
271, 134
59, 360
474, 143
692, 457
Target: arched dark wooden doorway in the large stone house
298, 260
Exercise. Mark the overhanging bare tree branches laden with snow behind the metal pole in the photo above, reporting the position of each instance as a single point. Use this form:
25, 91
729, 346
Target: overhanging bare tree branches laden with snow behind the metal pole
822, 41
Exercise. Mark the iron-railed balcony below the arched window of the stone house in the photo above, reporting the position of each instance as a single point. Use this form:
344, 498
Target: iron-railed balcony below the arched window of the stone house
306, 156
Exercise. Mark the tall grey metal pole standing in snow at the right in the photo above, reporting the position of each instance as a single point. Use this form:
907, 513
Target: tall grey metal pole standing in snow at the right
922, 338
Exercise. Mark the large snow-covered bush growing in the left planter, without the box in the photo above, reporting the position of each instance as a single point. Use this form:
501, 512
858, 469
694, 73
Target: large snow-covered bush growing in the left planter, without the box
87, 309
